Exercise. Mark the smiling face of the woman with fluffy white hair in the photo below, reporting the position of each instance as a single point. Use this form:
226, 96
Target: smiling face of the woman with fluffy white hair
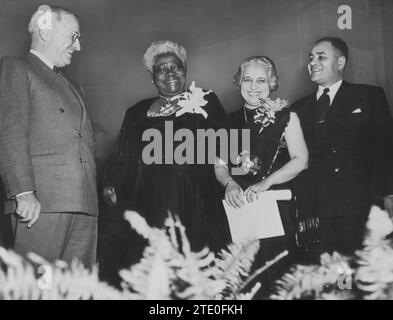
169, 75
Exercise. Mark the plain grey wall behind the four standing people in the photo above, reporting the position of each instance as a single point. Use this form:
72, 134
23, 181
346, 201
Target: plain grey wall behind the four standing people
218, 35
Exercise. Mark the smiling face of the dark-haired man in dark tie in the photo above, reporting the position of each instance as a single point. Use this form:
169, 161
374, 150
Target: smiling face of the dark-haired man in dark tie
325, 64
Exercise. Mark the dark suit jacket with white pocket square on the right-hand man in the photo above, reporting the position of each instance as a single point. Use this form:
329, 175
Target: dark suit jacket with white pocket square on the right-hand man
353, 164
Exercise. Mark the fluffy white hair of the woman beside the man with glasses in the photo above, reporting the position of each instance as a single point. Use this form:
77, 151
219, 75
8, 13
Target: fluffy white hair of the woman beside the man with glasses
163, 47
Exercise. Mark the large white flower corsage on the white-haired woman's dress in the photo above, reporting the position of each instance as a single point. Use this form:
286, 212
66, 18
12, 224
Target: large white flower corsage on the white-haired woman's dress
192, 101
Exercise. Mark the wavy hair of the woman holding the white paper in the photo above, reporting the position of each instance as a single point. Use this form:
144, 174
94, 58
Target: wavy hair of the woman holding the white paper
264, 60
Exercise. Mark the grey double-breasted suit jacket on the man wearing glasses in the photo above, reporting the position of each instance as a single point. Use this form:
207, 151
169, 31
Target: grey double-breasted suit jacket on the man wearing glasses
46, 139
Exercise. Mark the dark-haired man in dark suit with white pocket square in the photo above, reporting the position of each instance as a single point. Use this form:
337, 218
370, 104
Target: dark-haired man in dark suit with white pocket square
348, 130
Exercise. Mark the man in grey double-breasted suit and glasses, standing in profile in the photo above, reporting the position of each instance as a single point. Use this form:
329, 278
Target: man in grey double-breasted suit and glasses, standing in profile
46, 145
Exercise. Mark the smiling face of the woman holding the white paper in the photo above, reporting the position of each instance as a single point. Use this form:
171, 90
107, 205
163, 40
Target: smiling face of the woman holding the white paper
254, 84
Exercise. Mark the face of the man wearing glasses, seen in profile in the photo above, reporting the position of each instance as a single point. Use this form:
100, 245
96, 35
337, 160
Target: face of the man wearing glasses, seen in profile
63, 41
